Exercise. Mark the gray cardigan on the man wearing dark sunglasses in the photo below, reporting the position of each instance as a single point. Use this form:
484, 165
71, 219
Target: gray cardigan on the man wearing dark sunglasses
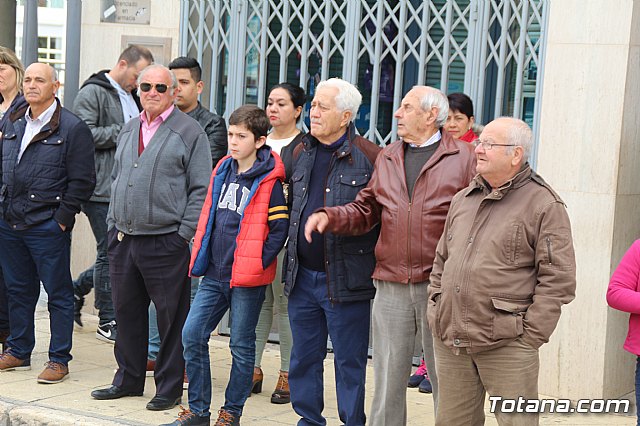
162, 190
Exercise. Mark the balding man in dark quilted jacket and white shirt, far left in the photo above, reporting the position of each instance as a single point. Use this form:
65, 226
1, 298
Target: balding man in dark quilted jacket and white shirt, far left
47, 173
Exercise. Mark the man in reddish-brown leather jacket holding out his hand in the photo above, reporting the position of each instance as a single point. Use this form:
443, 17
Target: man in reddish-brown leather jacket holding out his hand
409, 194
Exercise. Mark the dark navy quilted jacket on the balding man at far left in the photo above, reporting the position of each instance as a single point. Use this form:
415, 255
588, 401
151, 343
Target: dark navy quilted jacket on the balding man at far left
55, 174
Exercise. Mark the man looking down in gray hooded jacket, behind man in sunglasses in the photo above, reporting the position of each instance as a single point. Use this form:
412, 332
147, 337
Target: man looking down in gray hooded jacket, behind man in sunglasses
106, 101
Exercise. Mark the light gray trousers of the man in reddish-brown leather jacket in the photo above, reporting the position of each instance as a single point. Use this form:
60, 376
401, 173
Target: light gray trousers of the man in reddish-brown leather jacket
399, 313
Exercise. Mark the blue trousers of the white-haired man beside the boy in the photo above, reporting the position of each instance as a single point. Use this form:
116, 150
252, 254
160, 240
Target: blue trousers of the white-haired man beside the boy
313, 317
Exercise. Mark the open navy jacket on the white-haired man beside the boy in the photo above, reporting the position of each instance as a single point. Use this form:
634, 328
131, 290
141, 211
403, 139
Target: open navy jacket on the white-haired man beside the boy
350, 260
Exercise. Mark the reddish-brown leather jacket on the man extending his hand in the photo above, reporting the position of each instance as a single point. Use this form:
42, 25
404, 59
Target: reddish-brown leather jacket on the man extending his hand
409, 231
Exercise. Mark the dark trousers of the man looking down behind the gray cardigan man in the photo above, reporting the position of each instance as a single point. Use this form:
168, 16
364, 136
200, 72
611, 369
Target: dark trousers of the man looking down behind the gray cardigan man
97, 275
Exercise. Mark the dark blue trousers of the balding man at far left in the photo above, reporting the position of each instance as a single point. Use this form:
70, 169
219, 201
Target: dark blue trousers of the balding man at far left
40, 253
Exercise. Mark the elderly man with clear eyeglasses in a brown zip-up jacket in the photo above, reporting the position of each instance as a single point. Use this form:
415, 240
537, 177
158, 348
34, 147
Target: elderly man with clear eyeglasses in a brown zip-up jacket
504, 267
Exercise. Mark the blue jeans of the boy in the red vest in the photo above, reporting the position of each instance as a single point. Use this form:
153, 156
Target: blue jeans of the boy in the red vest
213, 299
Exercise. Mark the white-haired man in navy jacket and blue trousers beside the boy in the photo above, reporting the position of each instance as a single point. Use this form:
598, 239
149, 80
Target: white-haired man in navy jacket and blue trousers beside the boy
328, 279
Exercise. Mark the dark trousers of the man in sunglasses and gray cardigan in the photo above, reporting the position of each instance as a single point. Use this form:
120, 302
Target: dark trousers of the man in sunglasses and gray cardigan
145, 268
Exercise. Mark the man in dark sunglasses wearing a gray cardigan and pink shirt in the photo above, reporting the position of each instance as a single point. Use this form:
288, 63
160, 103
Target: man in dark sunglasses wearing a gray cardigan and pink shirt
160, 178
